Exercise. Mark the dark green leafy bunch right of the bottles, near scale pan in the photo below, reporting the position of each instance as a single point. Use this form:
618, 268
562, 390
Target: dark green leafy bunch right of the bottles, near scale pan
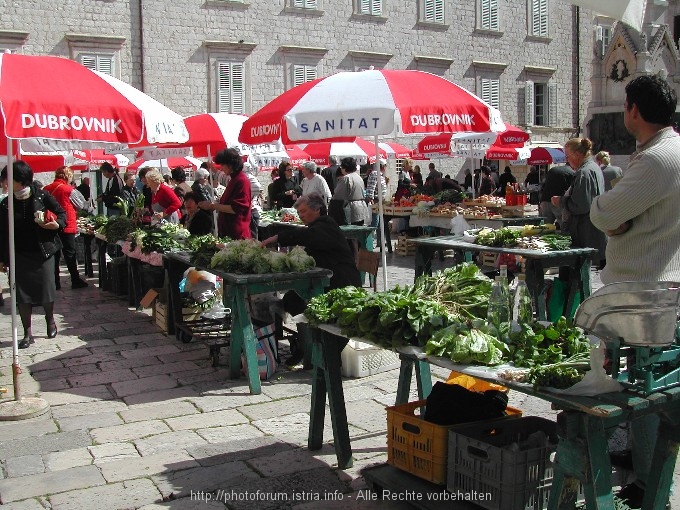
561, 342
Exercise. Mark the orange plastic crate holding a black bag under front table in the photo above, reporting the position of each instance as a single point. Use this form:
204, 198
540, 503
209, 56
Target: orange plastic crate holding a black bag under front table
418, 446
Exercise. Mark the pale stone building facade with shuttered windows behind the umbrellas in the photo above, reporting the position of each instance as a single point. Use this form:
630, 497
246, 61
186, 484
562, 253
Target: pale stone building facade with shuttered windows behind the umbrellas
531, 58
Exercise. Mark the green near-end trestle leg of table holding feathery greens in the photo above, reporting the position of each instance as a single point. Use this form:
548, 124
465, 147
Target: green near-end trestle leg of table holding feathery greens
243, 340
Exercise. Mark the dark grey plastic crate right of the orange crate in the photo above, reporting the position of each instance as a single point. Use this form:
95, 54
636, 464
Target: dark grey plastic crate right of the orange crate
481, 459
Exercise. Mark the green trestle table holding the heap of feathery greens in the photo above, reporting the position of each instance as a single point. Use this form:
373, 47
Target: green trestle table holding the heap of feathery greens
236, 289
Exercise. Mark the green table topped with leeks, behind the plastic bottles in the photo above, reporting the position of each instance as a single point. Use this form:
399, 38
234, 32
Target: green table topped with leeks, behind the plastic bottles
536, 262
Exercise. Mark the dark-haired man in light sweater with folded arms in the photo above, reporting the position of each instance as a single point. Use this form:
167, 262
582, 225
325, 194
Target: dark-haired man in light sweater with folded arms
641, 216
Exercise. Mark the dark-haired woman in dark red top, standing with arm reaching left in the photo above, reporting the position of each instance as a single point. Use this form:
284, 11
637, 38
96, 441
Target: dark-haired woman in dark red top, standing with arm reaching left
234, 207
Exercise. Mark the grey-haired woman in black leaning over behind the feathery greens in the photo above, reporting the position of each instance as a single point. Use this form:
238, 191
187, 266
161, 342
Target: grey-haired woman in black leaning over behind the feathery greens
325, 243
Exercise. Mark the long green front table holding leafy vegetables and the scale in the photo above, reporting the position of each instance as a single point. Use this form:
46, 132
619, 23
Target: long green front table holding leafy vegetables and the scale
584, 425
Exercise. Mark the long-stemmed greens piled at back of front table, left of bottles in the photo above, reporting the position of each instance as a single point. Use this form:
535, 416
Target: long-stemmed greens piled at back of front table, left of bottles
463, 289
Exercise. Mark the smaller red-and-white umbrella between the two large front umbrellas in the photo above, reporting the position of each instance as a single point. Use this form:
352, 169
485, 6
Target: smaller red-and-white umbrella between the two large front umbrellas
211, 132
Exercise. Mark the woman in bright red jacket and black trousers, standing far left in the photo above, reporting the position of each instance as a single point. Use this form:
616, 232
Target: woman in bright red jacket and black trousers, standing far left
61, 189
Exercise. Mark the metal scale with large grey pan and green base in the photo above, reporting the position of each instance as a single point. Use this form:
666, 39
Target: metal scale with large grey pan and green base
639, 323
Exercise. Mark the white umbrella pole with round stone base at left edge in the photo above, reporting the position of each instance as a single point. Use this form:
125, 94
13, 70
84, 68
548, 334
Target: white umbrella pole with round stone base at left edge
19, 408
